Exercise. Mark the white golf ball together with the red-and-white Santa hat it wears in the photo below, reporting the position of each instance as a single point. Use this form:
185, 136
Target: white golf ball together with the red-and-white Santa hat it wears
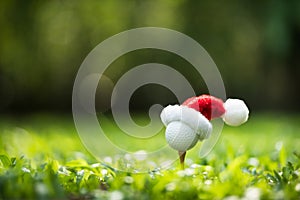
189, 122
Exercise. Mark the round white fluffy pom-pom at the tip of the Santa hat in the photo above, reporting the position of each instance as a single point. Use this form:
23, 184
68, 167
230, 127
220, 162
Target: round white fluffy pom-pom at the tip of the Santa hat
236, 112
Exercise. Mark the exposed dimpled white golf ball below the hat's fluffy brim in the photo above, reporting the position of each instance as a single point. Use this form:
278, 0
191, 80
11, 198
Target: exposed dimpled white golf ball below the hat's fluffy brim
180, 136
